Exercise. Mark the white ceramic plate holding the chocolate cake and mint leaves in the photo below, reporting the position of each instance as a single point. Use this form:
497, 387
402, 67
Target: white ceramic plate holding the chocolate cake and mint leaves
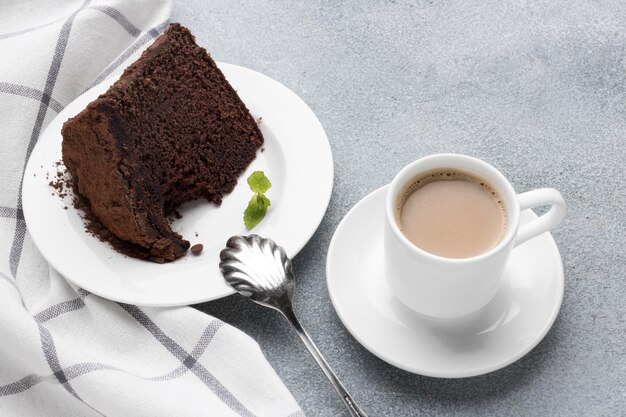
296, 158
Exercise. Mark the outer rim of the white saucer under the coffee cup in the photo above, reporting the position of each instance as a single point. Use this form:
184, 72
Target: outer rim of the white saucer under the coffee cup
551, 318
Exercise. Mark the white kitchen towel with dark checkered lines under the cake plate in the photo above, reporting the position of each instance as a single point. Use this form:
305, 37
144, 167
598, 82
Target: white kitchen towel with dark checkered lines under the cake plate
65, 352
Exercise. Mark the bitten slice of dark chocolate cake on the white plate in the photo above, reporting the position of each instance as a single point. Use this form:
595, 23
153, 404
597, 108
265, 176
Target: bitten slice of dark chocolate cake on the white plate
170, 130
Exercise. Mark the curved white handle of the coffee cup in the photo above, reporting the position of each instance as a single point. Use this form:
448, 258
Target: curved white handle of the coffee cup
554, 216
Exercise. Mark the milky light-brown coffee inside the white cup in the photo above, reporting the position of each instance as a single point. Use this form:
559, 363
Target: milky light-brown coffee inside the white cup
451, 213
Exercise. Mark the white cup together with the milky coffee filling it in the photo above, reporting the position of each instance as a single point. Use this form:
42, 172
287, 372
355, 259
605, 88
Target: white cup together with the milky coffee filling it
430, 272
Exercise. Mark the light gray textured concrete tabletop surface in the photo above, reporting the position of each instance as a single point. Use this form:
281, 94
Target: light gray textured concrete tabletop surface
535, 88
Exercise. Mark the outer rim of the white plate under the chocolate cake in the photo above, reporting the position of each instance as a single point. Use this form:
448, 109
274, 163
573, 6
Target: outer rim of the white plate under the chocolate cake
323, 197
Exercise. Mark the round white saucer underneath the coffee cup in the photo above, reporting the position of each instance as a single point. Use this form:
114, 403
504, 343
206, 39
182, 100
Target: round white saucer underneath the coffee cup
511, 325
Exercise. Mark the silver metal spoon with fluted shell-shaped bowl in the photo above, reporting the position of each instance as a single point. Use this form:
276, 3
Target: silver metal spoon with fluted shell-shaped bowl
260, 270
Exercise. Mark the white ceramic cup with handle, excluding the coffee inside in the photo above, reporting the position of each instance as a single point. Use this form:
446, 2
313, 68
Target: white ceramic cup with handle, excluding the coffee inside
442, 287
